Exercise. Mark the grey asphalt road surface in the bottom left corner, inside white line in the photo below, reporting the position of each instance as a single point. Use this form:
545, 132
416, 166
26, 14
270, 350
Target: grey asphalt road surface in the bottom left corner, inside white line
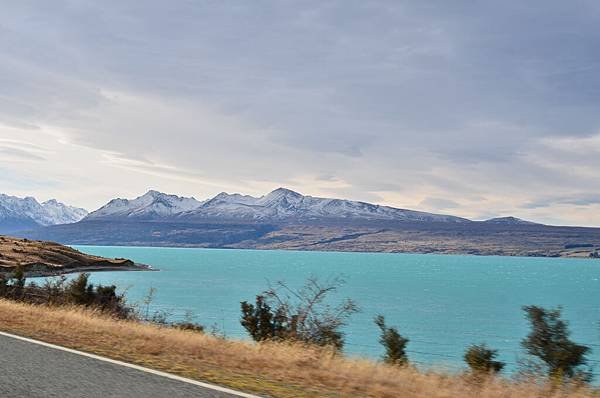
31, 370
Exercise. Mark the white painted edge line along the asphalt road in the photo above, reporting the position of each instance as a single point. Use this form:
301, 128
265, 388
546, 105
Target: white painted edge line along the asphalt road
132, 366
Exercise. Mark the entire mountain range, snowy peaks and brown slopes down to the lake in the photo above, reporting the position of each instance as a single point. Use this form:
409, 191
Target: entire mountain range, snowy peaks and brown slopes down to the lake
284, 219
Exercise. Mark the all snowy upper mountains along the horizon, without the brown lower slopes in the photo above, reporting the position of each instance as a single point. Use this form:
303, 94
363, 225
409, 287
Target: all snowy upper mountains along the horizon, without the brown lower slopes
280, 206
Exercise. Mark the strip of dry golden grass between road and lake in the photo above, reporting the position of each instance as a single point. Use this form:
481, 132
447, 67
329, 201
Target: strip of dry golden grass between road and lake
270, 369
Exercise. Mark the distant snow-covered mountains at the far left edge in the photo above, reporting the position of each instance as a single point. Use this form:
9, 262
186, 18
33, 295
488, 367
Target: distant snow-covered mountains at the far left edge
22, 213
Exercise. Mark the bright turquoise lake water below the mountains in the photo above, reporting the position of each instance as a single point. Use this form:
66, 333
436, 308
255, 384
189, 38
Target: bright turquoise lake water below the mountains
442, 303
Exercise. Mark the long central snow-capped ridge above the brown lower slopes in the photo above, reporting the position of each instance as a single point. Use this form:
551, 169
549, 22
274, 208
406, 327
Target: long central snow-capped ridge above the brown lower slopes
277, 206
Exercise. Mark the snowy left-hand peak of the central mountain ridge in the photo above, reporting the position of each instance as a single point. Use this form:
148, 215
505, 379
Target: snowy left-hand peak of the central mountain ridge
152, 205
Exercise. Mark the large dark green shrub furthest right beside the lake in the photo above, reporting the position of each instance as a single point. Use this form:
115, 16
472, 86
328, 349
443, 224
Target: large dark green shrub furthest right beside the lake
549, 341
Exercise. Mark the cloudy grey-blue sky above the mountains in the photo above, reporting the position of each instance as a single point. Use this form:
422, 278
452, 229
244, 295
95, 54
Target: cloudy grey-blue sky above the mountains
472, 108
